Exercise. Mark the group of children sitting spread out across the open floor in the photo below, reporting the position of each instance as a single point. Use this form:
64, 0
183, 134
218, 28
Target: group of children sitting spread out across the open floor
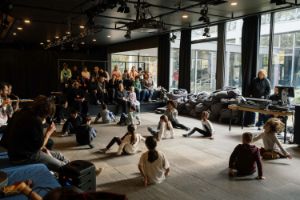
153, 164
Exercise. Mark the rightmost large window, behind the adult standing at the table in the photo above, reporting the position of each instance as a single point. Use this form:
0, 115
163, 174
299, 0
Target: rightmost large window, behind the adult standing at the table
285, 66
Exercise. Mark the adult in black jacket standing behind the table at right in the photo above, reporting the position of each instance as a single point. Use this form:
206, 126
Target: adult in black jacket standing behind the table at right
260, 88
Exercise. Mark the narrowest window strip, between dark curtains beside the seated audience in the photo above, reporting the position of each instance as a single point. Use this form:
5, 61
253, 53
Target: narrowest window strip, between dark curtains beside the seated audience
174, 60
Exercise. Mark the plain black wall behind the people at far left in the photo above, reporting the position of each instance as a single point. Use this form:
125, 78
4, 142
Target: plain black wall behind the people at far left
33, 71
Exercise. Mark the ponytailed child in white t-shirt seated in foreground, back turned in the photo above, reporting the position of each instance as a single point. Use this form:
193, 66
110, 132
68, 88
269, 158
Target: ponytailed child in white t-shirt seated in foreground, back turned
153, 164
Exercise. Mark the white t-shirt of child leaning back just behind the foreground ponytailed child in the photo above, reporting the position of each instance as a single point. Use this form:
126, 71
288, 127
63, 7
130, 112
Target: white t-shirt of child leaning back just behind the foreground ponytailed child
128, 147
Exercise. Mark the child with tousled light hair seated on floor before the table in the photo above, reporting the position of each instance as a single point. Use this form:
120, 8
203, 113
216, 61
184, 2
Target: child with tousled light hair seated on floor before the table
271, 142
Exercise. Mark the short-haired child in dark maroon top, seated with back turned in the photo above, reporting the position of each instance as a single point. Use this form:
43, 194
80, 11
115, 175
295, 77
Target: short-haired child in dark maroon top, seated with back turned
244, 157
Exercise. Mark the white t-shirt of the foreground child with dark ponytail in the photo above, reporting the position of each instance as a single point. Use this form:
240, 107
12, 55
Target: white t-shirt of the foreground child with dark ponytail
154, 171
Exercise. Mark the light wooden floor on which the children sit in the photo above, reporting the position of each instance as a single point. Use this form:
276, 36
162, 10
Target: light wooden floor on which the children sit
198, 166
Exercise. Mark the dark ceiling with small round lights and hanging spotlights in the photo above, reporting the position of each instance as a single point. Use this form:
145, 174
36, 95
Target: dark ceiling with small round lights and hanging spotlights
50, 18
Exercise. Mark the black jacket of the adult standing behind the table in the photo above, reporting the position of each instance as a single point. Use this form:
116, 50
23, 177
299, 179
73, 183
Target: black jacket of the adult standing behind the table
260, 88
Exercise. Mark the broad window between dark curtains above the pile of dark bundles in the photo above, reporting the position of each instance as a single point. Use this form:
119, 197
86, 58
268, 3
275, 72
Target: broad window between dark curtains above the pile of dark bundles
203, 66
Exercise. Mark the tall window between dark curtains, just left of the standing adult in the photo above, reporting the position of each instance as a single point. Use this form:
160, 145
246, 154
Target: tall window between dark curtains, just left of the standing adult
233, 59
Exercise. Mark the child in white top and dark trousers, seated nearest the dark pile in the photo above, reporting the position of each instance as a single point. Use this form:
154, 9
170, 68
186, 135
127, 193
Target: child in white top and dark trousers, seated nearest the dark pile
207, 130
